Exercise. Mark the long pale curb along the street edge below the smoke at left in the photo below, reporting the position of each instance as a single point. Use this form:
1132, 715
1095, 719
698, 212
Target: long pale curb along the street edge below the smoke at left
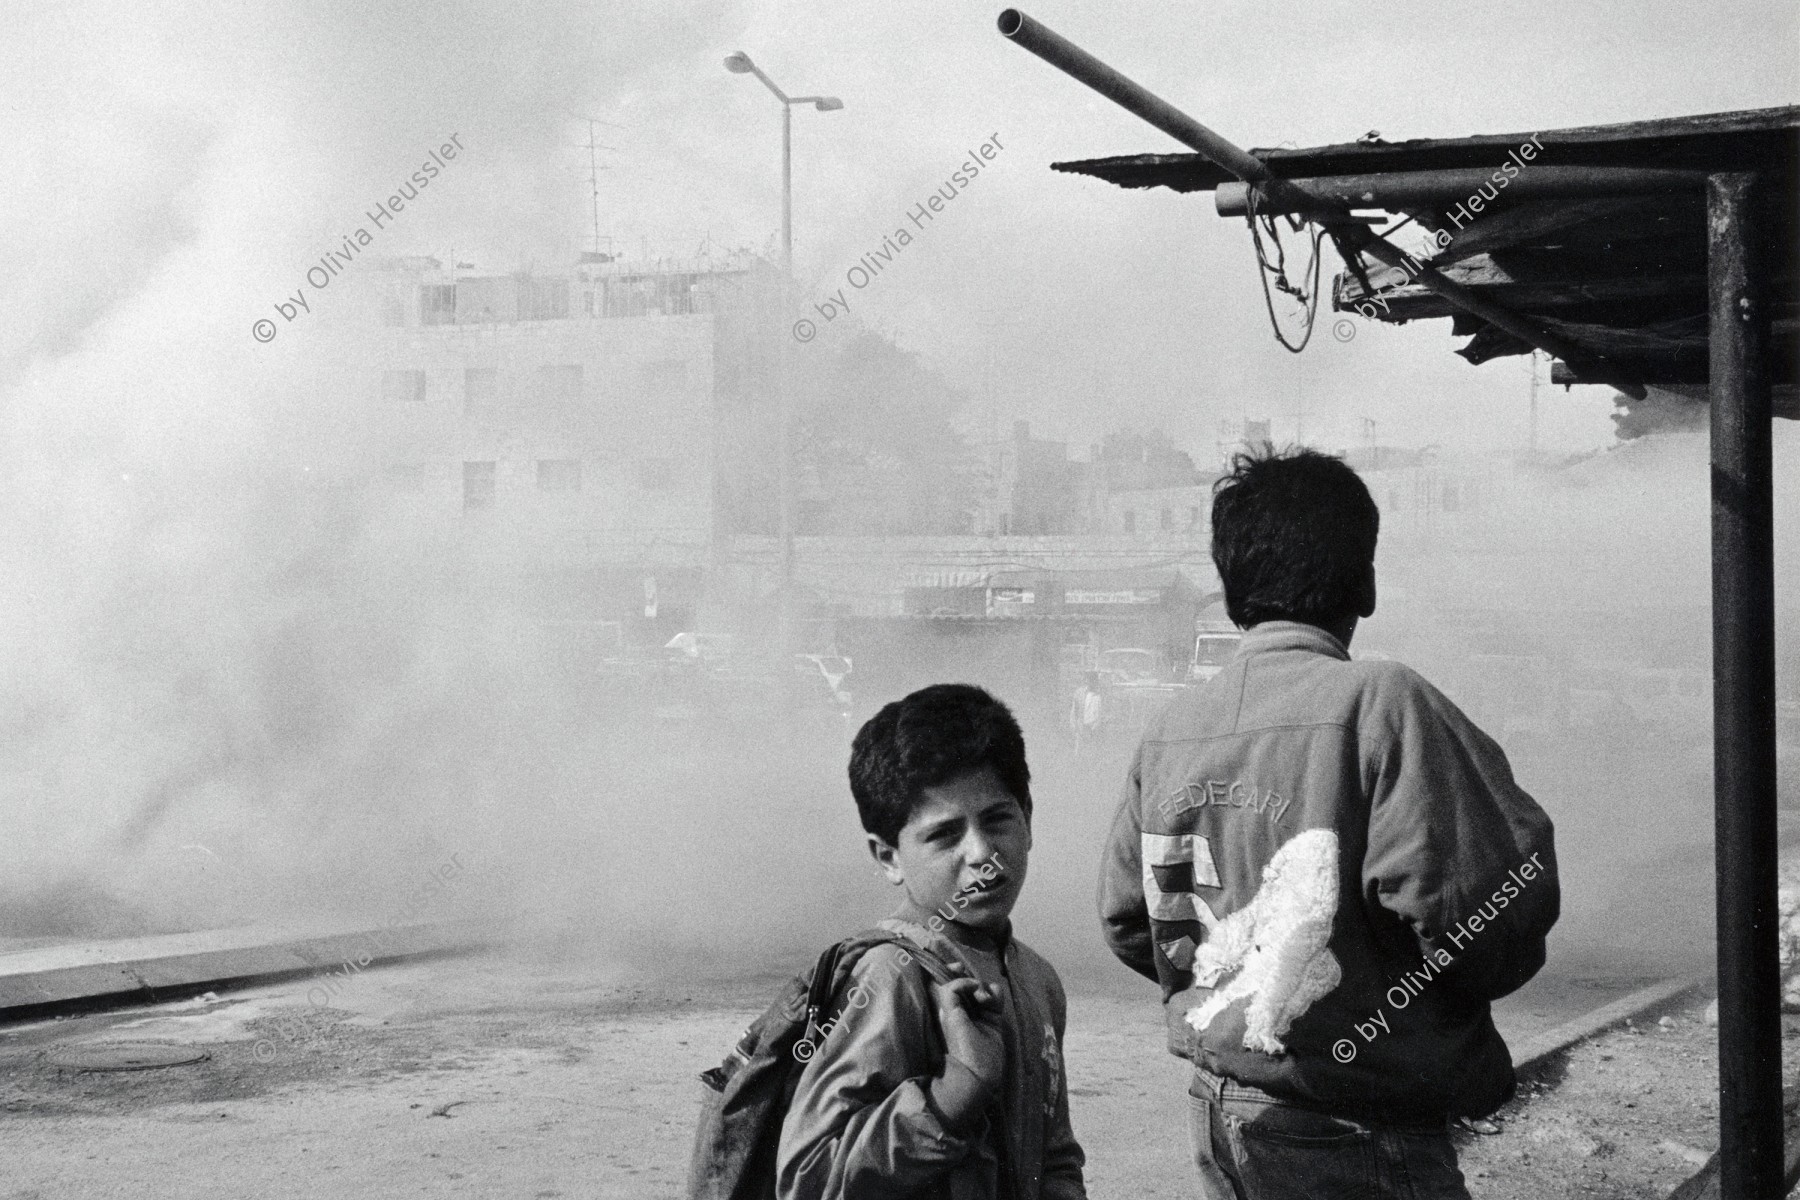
37, 983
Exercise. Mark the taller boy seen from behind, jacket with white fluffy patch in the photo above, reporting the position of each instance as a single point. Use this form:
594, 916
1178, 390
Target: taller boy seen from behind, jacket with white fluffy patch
1327, 868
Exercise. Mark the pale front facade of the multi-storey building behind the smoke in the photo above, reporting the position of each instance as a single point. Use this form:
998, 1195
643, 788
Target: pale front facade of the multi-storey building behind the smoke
559, 429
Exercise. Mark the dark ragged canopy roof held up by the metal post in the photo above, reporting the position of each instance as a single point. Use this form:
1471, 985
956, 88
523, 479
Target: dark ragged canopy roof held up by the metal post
1599, 238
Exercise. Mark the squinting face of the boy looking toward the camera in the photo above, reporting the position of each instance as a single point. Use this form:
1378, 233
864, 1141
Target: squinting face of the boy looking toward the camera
962, 855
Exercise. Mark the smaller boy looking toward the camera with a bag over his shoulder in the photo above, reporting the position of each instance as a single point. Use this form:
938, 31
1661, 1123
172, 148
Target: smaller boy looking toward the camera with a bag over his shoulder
953, 1089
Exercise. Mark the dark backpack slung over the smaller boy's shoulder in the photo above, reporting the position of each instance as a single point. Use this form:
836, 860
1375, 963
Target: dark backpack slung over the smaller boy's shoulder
748, 1097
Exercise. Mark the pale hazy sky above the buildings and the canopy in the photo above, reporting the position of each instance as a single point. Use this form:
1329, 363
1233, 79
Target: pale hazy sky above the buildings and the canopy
174, 170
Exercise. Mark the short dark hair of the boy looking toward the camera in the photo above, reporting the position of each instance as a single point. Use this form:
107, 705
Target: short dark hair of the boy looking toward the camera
926, 740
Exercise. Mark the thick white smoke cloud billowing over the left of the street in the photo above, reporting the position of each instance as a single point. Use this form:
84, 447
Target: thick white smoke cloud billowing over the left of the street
228, 694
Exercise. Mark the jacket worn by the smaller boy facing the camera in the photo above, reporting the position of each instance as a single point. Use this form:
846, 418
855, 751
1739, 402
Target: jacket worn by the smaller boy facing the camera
863, 1124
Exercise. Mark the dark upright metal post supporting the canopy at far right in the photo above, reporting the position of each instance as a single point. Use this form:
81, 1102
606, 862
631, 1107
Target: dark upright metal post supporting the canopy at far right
1743, 726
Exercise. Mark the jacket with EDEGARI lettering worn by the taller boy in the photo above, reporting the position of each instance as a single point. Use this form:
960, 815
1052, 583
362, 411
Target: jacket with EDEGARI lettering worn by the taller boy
1444, 888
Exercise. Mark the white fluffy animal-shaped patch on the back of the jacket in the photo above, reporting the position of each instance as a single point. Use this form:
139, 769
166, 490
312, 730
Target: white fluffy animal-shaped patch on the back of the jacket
1277, 945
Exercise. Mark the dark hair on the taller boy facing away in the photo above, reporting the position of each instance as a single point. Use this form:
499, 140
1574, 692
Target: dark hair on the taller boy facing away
1293, 537
